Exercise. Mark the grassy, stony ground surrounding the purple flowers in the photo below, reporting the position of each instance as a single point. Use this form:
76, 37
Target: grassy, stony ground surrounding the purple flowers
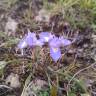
35, 73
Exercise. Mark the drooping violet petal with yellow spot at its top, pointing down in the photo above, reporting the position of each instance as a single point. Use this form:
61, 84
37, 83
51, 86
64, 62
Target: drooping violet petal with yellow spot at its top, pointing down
55, 53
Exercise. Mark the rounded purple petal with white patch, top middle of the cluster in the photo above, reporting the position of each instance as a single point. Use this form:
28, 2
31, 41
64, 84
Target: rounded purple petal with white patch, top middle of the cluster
46, 36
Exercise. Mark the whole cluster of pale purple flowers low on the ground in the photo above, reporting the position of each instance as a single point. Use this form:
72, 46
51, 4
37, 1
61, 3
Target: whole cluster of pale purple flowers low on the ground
54, 43
